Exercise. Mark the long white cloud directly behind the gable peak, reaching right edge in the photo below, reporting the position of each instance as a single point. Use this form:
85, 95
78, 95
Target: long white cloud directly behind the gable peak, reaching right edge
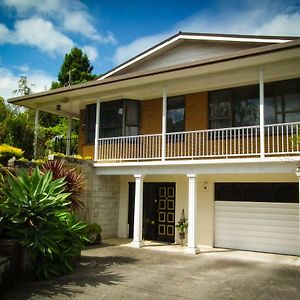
267, 18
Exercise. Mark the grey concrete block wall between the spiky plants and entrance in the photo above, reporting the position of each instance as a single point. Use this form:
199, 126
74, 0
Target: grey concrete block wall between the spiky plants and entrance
101, 197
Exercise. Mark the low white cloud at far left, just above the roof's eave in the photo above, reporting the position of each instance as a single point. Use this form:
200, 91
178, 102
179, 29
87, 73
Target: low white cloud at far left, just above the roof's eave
9, 81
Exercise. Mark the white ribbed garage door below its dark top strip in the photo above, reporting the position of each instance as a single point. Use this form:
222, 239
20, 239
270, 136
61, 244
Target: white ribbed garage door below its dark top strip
258, 226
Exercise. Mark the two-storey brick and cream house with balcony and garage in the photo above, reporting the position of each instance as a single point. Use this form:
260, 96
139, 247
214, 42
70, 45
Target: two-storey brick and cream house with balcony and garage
204, 123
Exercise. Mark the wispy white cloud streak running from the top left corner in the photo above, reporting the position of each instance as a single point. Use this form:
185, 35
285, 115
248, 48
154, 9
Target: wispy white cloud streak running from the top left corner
71, 15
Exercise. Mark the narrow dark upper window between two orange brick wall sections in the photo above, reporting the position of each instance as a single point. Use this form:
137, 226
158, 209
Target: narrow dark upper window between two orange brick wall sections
175, 114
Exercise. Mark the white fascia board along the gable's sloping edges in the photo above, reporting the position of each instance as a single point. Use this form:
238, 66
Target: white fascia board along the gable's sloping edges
193, 37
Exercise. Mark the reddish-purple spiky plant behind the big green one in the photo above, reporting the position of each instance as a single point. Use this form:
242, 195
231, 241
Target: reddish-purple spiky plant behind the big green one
74, 180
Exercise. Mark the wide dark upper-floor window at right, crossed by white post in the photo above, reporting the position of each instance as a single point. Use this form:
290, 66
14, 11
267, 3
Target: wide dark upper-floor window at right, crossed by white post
237, 107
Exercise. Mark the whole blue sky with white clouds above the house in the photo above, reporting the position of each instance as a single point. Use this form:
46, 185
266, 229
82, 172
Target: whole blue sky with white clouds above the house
36, 34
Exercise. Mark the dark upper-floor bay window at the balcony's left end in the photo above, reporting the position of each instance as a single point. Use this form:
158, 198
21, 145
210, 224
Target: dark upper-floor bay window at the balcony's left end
117, 118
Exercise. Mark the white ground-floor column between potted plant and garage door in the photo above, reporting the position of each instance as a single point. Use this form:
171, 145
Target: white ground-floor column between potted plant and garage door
192, 215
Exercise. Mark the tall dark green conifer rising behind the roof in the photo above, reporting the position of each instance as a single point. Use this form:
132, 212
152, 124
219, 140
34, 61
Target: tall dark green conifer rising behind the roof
75, 69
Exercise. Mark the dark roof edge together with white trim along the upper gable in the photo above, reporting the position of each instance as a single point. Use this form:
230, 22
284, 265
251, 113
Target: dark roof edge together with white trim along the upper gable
180, 36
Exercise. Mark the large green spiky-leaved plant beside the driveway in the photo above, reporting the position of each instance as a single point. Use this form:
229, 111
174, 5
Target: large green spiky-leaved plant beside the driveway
36, 213
